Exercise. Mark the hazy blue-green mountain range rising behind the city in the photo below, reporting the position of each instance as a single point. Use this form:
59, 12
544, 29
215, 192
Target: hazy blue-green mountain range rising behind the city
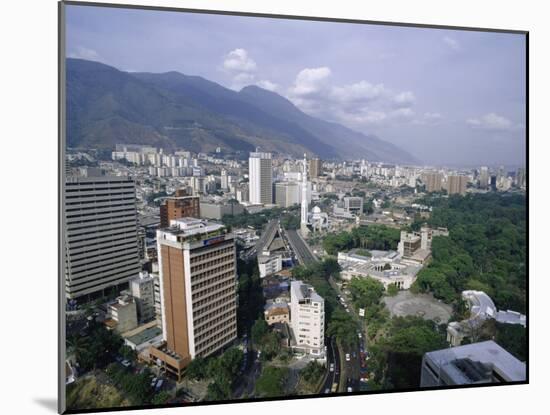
106, 106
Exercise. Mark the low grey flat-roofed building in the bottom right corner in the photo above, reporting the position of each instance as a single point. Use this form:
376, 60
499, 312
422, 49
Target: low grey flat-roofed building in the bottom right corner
477, 363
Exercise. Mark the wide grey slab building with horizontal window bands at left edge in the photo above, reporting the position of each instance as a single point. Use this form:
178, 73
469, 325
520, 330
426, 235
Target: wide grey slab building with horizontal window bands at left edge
101, 238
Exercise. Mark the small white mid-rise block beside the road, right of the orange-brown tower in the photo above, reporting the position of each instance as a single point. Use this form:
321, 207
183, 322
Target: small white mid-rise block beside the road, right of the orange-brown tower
307, 318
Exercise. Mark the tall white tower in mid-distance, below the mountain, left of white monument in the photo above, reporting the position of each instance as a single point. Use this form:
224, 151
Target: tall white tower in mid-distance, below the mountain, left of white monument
260, 174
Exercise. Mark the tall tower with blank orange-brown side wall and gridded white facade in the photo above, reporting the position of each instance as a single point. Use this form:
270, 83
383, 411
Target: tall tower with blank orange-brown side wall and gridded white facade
197, 271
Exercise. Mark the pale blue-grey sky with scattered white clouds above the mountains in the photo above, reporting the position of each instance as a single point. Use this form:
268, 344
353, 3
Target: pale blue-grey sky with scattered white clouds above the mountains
448, 97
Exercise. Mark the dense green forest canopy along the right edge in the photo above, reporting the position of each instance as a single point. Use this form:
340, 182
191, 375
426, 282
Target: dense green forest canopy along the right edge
486, 249
